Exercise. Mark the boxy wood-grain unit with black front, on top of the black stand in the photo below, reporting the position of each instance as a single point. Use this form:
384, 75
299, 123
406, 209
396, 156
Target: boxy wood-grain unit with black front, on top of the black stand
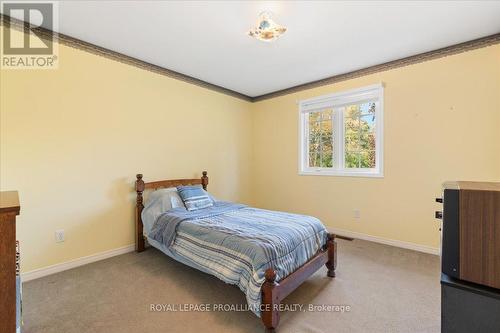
471, 232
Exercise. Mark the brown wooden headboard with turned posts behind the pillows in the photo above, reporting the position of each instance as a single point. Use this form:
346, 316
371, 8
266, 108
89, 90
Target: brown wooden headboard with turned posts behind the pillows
141, 186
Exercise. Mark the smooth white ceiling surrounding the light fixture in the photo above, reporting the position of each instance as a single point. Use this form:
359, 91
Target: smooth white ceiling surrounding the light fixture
207, 39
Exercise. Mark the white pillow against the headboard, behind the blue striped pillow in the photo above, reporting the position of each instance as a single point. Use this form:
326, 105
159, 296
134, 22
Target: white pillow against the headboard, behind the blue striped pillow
157, 203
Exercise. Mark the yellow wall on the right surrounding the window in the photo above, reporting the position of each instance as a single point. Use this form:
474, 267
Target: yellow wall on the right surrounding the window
442, 122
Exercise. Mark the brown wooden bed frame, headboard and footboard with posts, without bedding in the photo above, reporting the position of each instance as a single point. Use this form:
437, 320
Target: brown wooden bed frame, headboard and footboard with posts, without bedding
272, 292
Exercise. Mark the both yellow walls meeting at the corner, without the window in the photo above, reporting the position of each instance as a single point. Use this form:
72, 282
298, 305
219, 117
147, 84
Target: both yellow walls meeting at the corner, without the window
72, 140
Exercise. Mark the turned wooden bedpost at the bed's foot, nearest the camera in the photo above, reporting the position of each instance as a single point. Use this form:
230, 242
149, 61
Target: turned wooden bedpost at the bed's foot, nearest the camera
270, 302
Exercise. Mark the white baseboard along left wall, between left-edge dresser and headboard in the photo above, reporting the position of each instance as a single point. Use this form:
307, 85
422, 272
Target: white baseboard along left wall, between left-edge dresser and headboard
41, 272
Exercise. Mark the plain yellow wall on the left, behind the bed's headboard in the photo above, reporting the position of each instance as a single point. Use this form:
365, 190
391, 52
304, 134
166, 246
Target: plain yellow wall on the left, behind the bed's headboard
72, 140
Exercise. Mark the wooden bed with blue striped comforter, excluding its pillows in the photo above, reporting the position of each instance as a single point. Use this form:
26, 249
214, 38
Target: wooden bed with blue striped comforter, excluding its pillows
267, 254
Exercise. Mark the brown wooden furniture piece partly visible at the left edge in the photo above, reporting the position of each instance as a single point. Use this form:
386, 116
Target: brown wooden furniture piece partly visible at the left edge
9, 209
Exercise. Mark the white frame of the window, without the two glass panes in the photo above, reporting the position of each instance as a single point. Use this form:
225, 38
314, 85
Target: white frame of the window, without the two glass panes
337, 102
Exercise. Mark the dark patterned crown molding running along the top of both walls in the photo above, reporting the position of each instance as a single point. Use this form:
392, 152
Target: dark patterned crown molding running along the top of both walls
101, 51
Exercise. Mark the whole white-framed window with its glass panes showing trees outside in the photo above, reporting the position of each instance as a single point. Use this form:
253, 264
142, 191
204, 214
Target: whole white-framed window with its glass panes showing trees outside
341, 134
